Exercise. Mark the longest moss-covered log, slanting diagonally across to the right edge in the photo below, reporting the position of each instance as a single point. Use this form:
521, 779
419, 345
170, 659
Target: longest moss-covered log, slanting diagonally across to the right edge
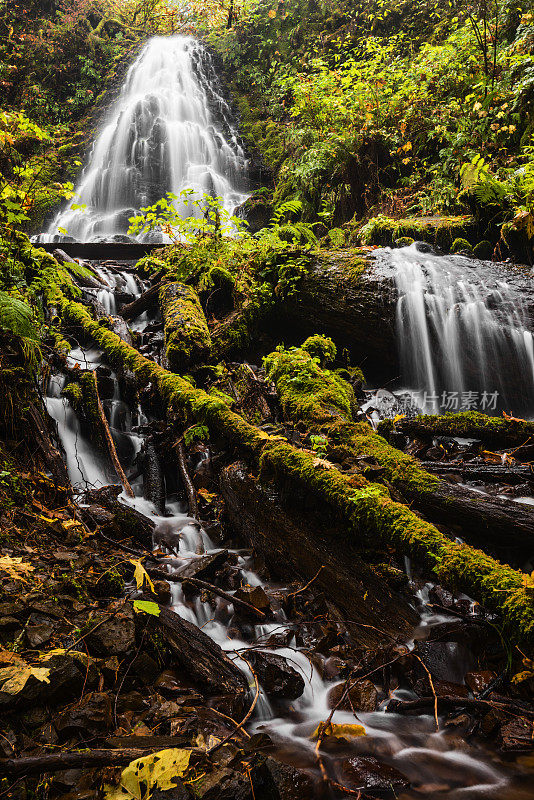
365, 510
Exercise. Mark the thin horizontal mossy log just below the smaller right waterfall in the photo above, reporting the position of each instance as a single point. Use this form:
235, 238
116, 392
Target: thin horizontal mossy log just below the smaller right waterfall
498, 432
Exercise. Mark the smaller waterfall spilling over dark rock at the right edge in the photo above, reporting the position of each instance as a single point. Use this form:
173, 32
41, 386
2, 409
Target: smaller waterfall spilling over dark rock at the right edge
463, 335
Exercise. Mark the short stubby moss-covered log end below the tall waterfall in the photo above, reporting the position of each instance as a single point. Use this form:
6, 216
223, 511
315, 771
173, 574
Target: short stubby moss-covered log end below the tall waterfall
187, 338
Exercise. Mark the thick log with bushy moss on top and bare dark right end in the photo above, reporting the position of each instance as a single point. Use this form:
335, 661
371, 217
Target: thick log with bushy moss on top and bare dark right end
319, 398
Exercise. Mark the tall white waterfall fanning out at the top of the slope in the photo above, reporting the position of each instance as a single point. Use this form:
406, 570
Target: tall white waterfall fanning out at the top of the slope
169, 130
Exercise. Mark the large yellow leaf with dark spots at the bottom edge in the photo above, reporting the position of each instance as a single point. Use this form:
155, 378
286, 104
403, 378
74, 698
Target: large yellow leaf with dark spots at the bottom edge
156, 771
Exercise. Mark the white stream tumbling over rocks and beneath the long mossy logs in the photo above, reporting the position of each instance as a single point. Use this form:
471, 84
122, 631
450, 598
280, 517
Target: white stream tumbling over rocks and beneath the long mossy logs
438, 763
